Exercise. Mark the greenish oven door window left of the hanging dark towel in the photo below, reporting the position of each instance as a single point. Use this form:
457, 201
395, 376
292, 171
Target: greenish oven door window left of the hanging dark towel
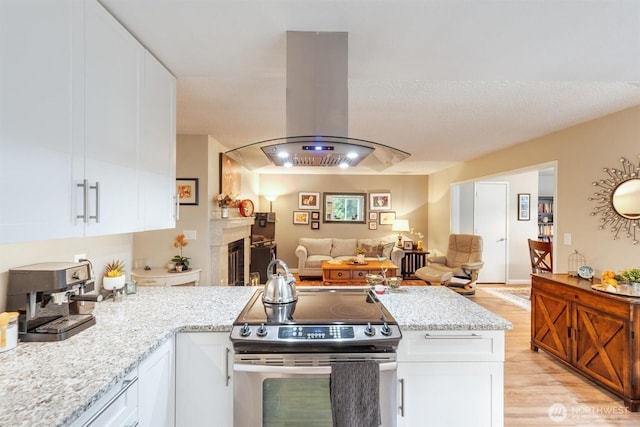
296, 402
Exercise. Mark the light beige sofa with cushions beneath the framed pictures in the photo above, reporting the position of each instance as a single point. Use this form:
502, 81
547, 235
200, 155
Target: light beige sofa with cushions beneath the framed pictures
311, 252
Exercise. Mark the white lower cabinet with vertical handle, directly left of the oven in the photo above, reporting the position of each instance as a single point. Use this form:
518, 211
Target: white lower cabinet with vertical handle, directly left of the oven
204, 392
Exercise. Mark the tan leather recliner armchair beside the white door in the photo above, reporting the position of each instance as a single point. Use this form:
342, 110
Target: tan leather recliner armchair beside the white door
463, 261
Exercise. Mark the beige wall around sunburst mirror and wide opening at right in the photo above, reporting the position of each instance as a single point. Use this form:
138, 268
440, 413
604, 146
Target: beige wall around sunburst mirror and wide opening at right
581, 152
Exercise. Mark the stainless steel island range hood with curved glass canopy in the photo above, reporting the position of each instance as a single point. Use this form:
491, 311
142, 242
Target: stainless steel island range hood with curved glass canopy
317, 112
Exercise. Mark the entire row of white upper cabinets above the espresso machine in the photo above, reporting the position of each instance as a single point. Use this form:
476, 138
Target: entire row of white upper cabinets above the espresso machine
81, 102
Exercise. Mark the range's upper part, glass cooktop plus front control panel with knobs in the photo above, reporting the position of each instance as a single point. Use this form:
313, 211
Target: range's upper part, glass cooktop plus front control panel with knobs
321, 320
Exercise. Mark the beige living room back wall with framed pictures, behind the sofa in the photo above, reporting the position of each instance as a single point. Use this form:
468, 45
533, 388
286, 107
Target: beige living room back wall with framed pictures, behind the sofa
408, 200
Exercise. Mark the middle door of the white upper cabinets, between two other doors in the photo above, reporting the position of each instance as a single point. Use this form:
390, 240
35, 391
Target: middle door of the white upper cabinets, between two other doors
114, 67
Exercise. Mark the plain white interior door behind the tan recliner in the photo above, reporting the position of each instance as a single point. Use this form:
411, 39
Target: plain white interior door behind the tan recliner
490, 222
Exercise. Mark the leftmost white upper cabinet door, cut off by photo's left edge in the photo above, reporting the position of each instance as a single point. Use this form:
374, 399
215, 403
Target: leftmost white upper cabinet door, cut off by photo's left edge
38, 83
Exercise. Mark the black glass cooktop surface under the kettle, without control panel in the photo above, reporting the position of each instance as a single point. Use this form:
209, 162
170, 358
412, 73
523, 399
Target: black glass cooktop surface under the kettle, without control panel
320, 306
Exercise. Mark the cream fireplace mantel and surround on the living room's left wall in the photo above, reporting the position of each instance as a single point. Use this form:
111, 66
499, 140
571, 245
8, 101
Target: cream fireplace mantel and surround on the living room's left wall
223, 231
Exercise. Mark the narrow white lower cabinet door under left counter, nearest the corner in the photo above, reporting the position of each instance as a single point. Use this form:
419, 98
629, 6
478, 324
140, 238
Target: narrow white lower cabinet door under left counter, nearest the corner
156, 395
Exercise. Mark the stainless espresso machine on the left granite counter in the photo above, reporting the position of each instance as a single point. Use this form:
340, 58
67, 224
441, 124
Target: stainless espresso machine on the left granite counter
53, 299
